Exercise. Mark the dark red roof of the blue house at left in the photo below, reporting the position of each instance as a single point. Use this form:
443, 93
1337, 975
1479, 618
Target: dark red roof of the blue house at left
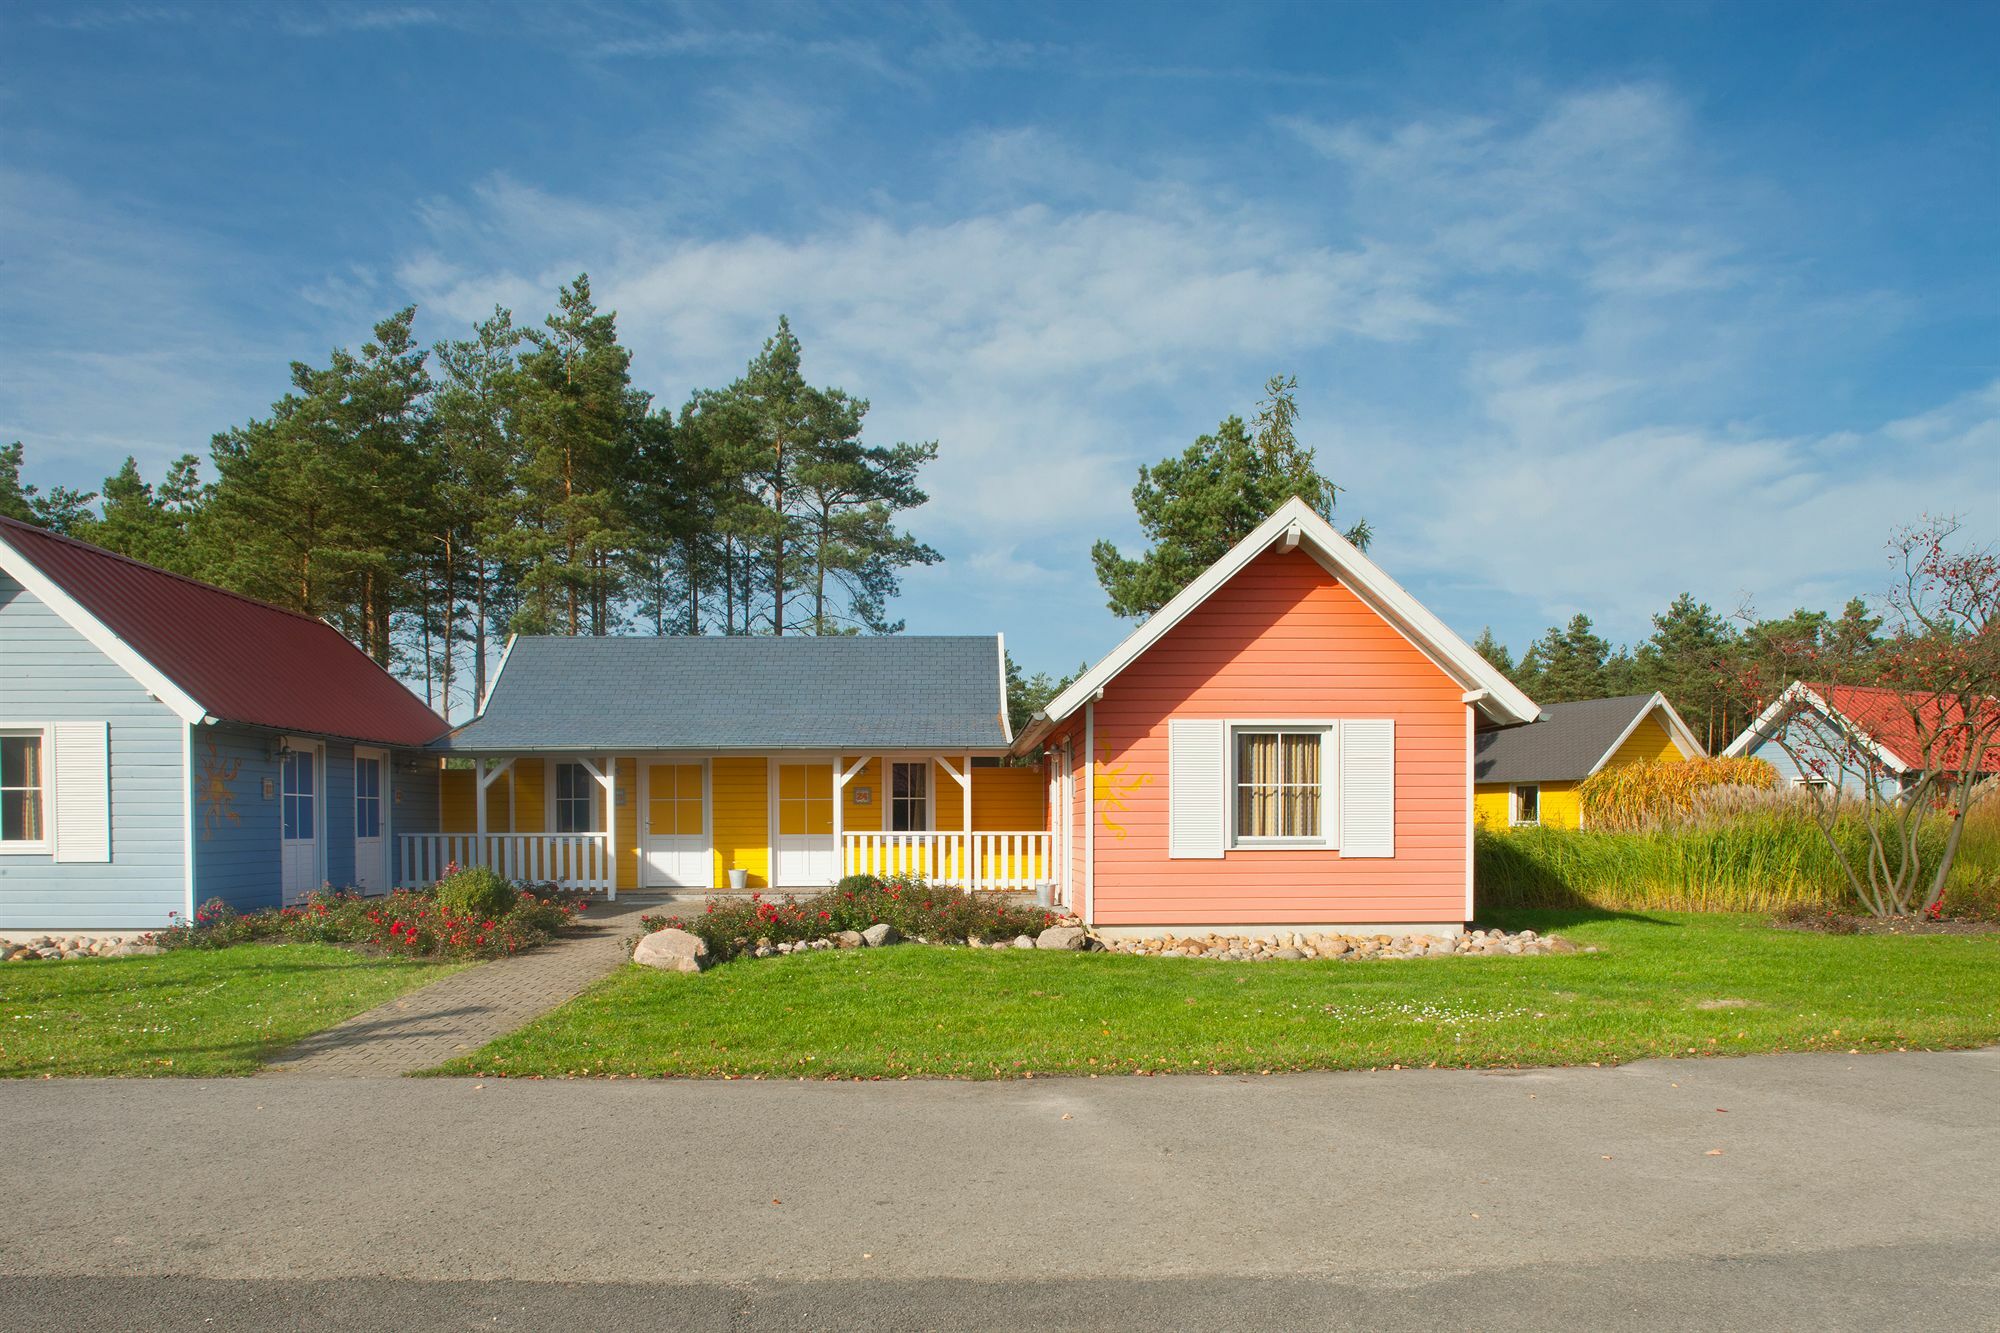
245, 661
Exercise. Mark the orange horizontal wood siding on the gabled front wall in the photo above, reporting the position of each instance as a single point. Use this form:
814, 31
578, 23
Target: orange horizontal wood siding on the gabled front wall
1283, 641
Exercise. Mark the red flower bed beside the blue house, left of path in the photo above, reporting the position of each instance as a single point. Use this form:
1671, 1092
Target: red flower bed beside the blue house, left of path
409, 922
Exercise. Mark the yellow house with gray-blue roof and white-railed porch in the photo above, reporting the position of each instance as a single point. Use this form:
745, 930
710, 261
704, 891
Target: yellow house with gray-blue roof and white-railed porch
741, 764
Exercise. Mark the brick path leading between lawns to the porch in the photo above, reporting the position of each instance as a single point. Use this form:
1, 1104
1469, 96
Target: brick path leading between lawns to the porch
469, 1010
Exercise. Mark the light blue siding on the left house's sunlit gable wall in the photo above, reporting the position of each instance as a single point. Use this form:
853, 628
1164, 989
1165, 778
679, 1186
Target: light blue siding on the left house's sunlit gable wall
49, 674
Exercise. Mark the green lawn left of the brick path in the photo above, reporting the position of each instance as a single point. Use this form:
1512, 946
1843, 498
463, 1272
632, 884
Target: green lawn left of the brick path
187, 1014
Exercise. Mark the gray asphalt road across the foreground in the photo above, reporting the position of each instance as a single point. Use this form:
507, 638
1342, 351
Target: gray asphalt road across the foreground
1775, 1194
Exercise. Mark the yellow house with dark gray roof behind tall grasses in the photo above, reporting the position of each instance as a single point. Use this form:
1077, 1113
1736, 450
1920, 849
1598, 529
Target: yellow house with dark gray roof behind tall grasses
1529, 776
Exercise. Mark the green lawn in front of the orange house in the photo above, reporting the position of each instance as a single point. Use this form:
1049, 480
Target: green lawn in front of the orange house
1661, 986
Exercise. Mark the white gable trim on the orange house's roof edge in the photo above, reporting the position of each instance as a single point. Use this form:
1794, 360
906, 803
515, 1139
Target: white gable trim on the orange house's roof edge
1297, 525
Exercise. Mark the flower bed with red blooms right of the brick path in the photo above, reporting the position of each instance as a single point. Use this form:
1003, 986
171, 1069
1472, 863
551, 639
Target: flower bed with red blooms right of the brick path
921, 912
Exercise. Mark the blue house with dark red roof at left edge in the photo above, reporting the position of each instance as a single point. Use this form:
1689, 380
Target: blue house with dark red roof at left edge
165, 744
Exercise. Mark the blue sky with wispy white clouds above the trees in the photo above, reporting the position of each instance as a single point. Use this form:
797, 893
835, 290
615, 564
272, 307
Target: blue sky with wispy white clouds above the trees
1589, 305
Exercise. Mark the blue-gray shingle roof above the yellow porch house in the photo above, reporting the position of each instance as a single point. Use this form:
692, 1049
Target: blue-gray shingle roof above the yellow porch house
795, 694
